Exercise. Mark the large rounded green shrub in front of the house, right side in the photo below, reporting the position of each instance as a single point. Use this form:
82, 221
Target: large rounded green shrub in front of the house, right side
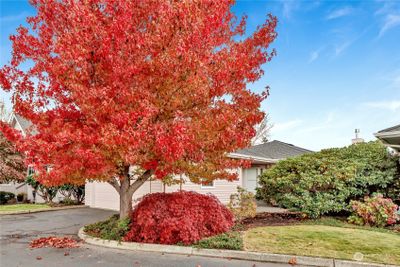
325, 182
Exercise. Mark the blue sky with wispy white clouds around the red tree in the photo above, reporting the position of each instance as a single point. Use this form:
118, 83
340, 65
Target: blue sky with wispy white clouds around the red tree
337, 66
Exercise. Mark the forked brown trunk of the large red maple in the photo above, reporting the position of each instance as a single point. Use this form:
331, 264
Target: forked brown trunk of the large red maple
125, 190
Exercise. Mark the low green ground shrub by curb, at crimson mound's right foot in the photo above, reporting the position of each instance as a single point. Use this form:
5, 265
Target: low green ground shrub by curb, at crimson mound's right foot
229, 240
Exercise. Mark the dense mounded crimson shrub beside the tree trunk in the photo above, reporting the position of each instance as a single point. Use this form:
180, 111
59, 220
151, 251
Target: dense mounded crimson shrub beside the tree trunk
169, 218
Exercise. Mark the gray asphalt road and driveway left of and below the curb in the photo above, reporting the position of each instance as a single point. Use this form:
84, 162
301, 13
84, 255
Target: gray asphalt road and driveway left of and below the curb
17, 231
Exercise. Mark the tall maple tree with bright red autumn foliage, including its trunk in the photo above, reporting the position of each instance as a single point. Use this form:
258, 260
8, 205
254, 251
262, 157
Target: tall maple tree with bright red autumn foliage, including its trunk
158, 85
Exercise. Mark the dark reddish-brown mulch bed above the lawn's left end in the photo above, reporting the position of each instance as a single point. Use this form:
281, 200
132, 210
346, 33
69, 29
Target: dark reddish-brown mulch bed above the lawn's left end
273, 219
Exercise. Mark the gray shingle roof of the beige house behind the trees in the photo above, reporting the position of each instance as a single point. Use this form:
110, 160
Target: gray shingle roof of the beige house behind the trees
273, 150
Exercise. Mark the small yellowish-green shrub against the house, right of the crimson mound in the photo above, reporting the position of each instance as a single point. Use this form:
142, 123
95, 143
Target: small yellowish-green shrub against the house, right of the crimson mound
242, 204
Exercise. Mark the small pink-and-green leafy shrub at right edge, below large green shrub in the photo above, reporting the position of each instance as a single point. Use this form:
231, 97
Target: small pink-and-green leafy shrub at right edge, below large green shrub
374, 211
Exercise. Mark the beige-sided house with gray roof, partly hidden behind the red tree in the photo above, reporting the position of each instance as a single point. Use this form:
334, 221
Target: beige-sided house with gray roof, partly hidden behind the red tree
263, 156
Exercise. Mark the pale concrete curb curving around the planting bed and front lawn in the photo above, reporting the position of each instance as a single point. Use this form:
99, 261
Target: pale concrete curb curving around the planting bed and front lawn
230, 254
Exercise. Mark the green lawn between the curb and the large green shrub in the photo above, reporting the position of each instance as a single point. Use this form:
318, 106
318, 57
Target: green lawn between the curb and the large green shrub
325, 241
